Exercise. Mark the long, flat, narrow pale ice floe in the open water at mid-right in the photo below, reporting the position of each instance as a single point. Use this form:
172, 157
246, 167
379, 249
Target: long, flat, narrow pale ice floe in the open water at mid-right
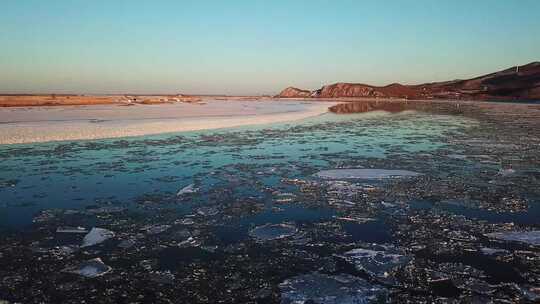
365, 174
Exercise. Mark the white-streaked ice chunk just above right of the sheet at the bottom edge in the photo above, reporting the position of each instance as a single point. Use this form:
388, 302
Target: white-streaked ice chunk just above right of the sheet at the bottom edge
378, 261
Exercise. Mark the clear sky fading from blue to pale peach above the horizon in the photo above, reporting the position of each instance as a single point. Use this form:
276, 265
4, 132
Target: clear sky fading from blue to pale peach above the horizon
251, 46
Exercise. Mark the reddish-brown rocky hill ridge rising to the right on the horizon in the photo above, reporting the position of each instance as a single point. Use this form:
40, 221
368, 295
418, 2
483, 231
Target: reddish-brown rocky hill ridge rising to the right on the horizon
521, 82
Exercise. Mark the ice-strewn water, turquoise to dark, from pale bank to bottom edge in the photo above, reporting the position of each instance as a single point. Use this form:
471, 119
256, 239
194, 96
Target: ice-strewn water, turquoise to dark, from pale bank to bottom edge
233, 214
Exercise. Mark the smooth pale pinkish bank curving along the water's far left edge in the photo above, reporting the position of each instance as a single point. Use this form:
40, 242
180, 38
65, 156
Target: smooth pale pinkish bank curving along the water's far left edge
42, 124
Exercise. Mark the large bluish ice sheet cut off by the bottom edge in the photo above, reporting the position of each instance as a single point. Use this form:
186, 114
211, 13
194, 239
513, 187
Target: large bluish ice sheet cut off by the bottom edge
321, 288
